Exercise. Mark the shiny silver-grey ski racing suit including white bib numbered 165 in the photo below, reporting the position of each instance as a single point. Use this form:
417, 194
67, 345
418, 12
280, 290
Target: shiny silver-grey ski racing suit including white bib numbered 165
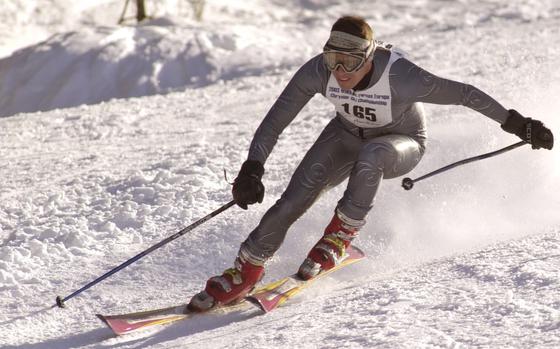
378, 132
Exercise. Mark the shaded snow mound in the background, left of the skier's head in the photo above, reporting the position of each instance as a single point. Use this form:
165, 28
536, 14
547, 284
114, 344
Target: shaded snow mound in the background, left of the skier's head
101, 63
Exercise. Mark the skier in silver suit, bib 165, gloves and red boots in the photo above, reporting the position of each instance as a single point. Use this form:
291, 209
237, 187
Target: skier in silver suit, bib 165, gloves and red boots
378, 132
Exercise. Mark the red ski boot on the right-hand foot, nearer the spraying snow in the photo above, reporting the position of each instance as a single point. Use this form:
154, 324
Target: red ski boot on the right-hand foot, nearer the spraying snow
330, 250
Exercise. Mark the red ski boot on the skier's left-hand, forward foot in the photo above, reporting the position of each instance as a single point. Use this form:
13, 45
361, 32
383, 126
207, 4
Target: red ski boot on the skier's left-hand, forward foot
234, 284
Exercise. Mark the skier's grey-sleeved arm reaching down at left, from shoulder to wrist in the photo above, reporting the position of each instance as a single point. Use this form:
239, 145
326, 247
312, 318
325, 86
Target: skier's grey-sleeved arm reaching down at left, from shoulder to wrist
310, 79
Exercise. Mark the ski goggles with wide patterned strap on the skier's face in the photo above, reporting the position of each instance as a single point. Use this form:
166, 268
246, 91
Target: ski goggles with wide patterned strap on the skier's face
346, 51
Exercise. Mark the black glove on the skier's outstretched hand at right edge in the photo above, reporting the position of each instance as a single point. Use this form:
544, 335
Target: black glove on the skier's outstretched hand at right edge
529, 130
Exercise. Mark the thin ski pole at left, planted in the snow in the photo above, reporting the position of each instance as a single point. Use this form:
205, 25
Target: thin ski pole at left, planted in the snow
60, 301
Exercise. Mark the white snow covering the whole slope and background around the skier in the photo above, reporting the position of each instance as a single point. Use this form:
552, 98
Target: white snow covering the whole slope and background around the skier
116, 137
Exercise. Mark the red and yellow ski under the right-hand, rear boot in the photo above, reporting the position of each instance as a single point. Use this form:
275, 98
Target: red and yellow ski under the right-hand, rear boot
274, 294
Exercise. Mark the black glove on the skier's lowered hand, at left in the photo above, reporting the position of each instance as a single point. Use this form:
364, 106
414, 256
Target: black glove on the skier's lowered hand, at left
247, 187
